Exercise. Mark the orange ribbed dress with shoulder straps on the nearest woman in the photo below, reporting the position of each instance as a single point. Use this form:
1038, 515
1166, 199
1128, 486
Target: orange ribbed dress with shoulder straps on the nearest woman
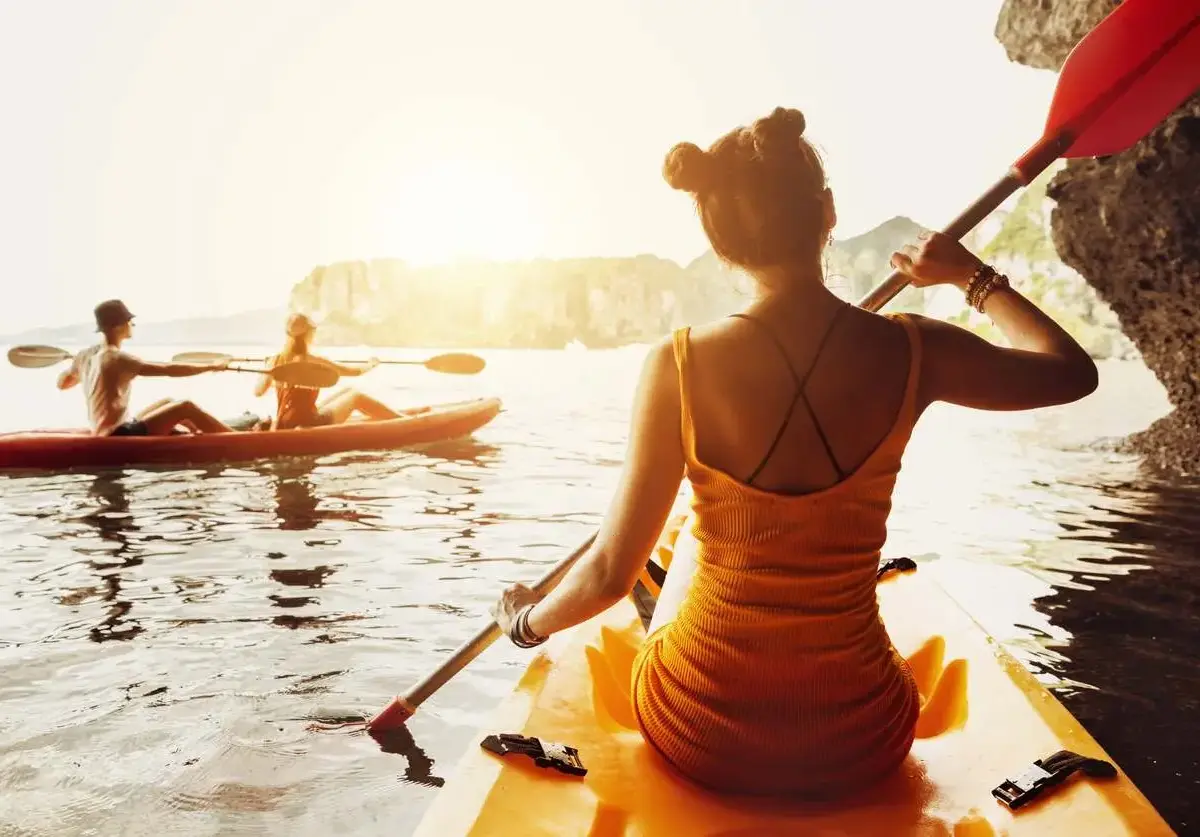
778, 677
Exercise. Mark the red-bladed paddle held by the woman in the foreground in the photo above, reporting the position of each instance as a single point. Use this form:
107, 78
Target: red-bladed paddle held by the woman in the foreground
1121, 81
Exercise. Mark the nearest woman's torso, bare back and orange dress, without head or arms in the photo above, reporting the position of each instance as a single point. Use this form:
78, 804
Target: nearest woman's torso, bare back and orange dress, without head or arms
781, 628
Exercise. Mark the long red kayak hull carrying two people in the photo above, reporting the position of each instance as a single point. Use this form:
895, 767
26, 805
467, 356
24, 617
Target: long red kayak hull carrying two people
63, 450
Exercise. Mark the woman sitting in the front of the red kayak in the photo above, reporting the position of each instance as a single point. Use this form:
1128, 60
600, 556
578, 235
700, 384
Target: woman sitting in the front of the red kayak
298, 406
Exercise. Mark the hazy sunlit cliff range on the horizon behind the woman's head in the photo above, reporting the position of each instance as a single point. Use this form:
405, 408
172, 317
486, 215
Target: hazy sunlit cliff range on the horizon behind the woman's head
549, 304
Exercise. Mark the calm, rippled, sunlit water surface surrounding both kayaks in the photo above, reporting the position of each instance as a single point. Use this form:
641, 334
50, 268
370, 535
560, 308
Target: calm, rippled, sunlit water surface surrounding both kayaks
167, 635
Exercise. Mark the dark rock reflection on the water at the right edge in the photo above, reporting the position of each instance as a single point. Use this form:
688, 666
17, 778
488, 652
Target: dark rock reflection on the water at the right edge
1137, 640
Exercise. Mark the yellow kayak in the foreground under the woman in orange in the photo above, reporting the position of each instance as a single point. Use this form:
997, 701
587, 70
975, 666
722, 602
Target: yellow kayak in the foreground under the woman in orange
985, 720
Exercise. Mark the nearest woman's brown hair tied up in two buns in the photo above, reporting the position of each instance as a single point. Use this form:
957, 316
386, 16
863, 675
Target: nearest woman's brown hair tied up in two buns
759, 191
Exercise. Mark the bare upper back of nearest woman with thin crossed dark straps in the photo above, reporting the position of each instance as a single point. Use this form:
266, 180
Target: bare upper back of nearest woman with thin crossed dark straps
745, 393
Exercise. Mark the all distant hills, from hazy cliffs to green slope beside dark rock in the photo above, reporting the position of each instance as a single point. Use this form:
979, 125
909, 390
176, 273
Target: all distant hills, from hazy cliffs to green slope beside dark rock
608, 303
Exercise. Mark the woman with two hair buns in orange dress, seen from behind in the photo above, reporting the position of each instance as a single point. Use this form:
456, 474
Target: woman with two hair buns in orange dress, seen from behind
769, 670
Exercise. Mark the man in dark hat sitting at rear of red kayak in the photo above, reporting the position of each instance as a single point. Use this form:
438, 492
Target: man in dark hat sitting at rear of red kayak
107, 375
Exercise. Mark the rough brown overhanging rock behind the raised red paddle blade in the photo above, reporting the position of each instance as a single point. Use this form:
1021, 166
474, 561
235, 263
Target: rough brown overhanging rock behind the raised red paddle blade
1131, 226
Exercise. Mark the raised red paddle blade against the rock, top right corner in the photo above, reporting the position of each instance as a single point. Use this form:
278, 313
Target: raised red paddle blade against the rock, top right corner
1127, 75
